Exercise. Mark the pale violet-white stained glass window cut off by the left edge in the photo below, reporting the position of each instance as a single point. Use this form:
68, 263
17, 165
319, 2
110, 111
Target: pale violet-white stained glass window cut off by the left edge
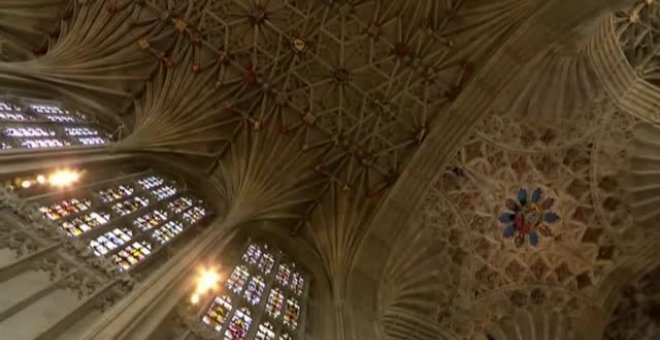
37, 124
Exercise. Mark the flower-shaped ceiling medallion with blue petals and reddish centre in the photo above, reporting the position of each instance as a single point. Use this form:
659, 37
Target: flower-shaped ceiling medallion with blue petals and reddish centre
528, 216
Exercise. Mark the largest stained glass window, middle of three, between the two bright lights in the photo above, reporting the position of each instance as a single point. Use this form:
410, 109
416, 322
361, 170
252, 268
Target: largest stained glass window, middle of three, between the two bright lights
124, 218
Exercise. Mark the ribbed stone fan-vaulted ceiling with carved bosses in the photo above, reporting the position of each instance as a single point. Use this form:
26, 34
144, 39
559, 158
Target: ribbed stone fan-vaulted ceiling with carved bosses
400, 138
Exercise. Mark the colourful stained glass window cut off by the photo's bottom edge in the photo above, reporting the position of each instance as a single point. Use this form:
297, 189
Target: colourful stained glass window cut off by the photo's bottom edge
257, 301
